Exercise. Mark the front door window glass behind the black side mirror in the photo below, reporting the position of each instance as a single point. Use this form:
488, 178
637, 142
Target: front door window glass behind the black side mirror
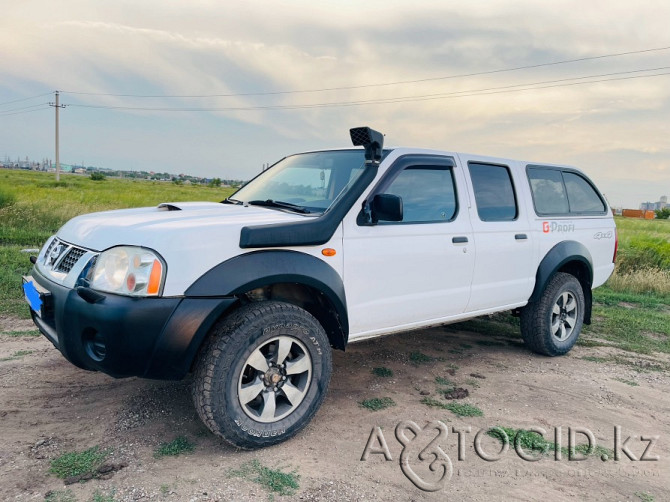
428, 193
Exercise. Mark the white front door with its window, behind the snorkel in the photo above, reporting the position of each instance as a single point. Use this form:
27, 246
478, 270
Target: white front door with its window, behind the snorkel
415, 271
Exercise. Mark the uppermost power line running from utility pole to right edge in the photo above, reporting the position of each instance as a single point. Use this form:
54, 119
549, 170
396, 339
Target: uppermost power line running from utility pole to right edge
384, 84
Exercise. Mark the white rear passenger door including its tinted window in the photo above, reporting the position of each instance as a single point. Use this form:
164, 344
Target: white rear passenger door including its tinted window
504, 272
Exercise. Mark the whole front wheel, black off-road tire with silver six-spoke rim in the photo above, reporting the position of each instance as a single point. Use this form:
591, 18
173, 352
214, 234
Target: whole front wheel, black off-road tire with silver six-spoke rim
263, 374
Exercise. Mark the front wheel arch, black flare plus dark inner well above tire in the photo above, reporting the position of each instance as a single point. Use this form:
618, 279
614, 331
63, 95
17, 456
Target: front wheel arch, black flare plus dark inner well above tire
283, 275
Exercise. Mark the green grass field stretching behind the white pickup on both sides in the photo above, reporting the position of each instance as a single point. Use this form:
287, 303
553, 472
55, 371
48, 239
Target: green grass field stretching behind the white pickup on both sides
632, 311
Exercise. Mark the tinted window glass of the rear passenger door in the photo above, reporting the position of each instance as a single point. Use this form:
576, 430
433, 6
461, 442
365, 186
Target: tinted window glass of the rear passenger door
494, 192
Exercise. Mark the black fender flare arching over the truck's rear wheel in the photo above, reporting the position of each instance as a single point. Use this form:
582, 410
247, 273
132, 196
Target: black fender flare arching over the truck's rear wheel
570, 257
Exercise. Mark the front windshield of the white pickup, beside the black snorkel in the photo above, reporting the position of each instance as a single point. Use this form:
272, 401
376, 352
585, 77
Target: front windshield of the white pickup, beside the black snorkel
305, 183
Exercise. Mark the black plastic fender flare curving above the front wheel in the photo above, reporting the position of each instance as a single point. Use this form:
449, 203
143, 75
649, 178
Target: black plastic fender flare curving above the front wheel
266, 267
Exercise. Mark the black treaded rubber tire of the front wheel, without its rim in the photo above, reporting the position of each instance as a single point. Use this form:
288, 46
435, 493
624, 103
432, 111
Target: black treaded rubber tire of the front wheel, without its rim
223, 359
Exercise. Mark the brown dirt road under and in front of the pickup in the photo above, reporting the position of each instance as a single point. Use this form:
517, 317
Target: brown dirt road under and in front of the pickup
48, 407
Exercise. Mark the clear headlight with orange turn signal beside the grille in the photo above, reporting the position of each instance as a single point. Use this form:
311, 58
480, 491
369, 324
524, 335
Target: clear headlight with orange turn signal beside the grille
127, 270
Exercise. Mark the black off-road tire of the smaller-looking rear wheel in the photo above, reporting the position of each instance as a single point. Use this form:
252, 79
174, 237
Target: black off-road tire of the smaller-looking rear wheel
539, 318
